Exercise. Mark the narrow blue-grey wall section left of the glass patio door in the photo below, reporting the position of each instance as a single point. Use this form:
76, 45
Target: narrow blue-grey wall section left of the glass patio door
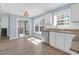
13, 26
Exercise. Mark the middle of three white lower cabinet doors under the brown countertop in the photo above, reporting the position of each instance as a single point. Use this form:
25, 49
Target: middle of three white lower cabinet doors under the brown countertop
60, 41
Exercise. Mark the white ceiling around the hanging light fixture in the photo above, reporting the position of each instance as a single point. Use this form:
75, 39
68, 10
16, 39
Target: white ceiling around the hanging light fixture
33, 9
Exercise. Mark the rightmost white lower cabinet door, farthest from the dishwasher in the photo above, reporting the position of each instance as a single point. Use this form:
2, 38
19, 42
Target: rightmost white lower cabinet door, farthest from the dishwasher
68, 41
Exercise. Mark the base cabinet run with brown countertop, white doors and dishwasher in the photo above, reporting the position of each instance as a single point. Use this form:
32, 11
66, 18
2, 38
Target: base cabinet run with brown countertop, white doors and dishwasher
60, 38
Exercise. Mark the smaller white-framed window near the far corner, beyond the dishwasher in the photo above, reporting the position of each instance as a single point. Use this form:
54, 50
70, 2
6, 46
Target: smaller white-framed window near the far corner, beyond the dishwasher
39, 25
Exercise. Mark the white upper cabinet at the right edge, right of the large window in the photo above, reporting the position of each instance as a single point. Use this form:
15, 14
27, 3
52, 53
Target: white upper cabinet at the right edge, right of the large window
75, 13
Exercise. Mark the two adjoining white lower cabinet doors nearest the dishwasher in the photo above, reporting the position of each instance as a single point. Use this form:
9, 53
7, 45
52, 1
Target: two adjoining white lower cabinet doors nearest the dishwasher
57, 40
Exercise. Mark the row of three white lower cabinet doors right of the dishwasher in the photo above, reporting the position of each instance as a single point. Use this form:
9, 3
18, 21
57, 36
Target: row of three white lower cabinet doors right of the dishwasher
61, 41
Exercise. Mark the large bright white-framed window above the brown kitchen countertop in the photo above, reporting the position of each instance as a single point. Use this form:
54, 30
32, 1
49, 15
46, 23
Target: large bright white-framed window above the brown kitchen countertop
62, 17
